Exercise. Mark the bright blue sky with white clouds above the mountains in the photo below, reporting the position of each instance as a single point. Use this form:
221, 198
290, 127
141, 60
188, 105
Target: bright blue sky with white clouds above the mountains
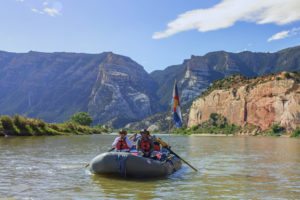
154, 33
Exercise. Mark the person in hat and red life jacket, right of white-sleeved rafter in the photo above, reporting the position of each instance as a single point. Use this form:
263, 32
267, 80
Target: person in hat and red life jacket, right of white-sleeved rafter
145, 144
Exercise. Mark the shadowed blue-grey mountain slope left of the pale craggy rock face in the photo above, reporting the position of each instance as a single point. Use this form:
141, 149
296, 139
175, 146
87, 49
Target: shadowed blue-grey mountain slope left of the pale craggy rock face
50, 86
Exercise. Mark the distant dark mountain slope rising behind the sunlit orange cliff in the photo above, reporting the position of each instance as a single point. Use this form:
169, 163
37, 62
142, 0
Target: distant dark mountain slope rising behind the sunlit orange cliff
197, 73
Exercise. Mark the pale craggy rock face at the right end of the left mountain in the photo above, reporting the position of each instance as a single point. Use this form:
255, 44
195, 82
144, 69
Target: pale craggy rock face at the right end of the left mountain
123, 89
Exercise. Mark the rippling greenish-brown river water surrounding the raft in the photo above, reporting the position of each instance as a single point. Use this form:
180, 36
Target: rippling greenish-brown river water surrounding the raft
229, 168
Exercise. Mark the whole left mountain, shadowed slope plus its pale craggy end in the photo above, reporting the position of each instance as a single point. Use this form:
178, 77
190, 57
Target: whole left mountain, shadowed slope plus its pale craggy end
54, 86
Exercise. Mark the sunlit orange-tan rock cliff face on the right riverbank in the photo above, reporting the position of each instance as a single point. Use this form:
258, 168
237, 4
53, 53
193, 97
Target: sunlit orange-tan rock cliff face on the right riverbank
262, 102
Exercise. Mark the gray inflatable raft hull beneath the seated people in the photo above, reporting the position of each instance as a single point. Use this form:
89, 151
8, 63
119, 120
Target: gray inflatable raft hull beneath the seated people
128, 165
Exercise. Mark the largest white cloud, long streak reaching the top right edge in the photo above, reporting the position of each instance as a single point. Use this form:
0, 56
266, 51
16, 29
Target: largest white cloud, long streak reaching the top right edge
228, 12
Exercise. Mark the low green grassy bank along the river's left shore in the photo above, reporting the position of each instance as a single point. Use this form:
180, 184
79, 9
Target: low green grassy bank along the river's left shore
23, 126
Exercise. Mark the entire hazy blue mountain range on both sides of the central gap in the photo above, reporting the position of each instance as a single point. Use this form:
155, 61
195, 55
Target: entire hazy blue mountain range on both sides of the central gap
114, 88
